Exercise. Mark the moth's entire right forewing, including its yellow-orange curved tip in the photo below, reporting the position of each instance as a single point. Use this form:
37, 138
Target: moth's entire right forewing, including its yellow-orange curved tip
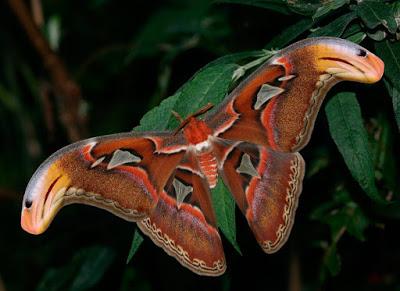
277, 105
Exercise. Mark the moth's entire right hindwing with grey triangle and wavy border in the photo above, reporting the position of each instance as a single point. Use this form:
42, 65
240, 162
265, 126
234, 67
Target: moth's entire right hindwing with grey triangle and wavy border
266, 186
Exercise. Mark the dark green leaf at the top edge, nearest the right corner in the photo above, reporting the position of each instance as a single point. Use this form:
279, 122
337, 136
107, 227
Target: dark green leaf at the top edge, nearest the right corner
374, 13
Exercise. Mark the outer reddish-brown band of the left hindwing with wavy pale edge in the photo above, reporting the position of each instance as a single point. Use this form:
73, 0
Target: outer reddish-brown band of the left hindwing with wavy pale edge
185, 236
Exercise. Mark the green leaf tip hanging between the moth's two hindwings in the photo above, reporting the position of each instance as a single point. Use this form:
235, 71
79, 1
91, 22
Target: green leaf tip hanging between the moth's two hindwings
224, 206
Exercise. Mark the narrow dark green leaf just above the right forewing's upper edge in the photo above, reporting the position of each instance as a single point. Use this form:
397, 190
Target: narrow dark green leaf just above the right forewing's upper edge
289, 34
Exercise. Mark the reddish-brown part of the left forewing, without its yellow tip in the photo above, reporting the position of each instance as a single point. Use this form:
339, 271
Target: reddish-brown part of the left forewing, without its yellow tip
128, 189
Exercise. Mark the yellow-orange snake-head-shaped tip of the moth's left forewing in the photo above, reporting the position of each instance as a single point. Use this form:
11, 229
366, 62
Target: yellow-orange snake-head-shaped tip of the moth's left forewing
44, 197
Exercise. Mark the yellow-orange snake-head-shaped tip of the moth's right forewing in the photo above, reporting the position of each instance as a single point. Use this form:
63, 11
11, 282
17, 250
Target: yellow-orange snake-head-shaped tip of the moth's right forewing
347, 61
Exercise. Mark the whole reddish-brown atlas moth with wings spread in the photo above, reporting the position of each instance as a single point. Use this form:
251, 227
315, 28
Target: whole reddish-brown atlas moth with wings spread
162, 180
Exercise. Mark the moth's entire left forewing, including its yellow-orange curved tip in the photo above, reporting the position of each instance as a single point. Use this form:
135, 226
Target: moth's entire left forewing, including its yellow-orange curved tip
121, 173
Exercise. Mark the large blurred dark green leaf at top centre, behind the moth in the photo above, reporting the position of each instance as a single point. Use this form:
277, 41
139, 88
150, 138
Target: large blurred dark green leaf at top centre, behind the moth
178, 28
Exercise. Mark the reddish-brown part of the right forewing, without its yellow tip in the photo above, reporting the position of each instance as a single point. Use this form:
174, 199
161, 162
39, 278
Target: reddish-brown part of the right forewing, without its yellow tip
283, 119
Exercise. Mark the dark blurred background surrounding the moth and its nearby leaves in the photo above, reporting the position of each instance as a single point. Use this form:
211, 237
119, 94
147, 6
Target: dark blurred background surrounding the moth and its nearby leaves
127, 56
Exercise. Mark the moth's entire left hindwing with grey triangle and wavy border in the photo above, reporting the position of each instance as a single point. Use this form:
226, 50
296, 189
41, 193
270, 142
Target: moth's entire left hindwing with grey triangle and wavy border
183, 222
